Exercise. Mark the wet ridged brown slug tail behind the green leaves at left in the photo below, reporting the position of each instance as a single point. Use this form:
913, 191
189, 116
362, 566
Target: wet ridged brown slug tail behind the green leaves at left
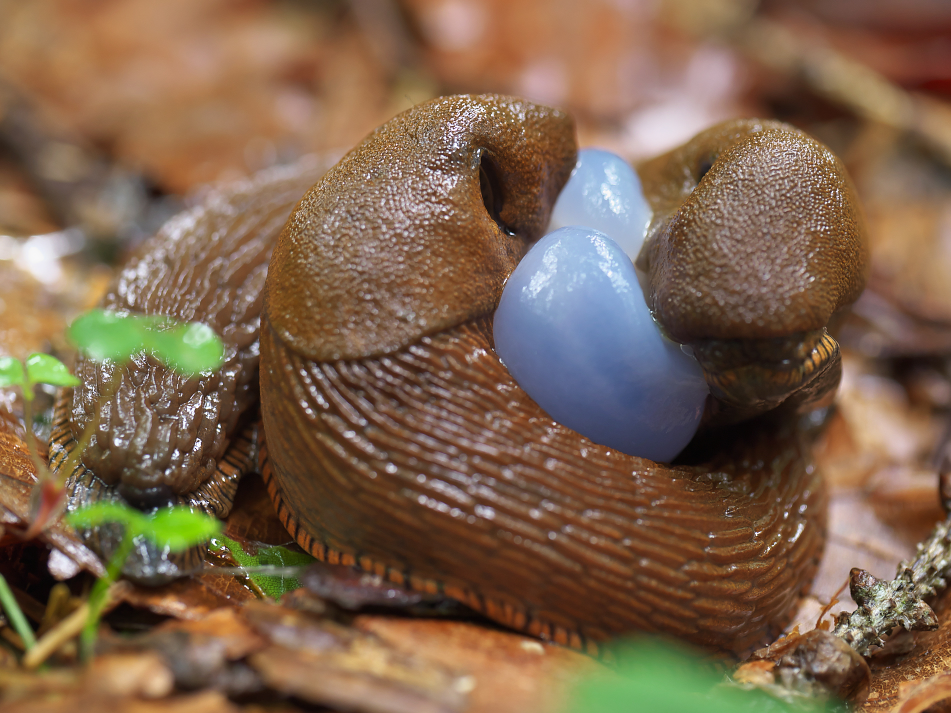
162, 435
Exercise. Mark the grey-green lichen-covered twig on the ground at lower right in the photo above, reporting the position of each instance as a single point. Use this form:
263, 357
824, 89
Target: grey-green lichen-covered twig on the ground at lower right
884, 605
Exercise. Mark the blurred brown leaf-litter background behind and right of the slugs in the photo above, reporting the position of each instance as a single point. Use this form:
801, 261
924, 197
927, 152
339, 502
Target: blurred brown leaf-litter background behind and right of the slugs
114, 114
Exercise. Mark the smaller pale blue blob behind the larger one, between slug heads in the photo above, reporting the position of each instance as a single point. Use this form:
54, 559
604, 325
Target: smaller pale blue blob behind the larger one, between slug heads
604, 193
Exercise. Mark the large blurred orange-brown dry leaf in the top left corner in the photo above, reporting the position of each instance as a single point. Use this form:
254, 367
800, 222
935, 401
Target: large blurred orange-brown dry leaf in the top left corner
199, 90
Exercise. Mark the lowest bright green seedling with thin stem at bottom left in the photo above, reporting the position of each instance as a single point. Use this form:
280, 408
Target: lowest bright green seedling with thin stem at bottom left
175, 528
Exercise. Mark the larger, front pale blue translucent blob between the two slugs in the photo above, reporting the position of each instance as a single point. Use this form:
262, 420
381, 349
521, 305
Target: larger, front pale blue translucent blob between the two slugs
573, 330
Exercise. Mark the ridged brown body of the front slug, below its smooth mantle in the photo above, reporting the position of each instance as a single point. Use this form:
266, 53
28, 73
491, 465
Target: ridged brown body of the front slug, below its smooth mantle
432, 467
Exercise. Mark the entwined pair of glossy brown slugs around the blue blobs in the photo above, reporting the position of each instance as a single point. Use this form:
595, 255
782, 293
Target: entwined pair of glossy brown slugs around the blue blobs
397, 441
